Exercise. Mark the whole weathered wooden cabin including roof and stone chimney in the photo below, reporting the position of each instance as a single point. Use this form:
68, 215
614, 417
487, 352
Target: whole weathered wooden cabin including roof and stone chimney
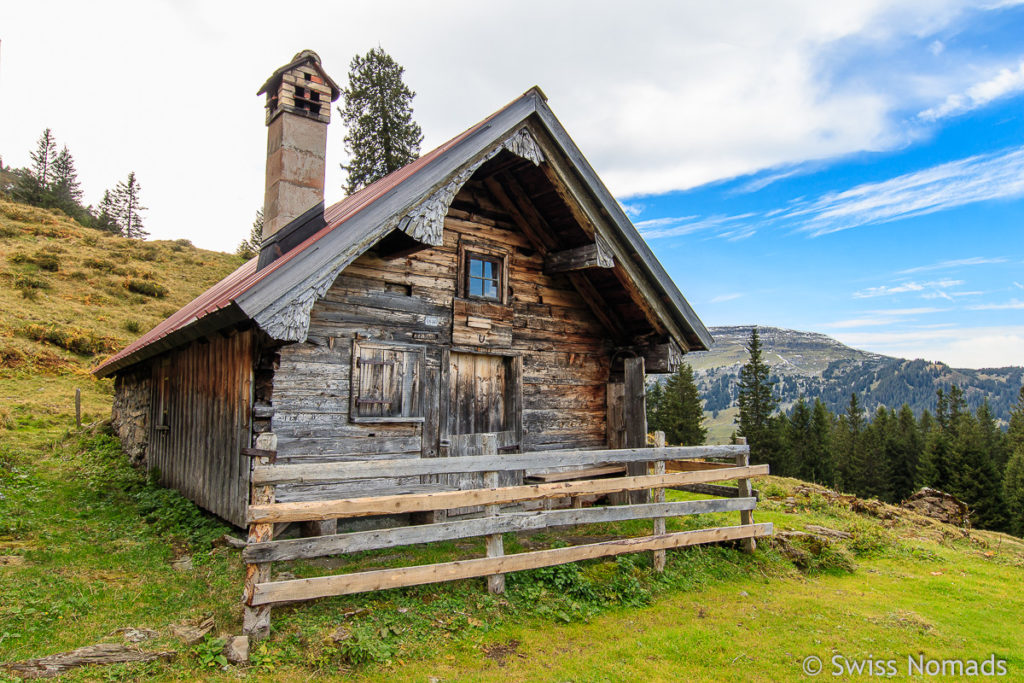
493, 287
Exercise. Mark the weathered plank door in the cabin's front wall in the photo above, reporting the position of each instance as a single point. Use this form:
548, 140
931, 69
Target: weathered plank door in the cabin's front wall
483, 401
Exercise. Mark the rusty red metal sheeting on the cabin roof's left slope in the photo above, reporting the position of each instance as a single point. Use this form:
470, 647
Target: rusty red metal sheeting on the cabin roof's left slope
224, 294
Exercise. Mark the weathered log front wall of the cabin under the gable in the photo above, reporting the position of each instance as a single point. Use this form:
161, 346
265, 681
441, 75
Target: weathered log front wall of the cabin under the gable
415, 300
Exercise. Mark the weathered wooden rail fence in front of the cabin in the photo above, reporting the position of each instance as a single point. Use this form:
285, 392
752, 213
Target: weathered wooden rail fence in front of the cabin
262, 593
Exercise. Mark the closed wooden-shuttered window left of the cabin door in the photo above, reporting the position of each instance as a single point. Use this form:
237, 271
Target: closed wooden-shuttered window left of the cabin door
388, 382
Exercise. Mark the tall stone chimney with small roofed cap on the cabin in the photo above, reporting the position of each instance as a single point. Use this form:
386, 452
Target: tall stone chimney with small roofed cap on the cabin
298, 111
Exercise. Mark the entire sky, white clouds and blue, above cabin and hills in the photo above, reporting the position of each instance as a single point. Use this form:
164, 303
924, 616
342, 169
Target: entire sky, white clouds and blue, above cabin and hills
851, 167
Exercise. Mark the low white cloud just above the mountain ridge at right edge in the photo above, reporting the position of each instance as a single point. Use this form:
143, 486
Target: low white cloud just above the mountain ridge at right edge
960, 348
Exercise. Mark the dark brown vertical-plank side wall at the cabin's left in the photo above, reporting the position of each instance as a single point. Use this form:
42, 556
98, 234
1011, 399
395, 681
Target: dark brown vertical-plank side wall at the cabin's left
200, 420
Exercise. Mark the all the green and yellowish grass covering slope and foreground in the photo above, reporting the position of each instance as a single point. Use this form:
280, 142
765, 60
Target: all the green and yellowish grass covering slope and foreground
89, 547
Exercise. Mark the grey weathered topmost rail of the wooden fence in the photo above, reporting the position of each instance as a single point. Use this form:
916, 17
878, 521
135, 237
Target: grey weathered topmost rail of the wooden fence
520, 461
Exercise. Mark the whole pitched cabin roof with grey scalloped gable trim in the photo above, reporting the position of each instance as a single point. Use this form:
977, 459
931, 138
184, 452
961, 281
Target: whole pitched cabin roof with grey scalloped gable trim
415, 199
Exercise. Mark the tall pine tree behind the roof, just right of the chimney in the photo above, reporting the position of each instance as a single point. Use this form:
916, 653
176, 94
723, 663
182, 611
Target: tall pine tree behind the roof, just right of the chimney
381, 136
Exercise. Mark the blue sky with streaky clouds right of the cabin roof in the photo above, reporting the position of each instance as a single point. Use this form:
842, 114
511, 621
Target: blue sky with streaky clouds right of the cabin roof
915, 249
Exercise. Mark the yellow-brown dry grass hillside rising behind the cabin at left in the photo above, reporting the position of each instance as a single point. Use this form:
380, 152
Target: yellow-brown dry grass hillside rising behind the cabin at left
70, 296
